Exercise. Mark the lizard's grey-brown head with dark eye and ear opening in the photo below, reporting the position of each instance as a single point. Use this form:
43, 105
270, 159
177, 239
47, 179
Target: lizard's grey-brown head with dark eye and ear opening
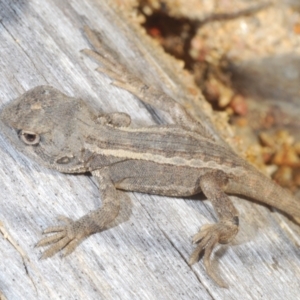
43, 124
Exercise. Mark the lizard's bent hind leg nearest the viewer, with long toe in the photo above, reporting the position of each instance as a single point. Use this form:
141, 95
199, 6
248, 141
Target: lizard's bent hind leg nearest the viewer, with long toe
213, 185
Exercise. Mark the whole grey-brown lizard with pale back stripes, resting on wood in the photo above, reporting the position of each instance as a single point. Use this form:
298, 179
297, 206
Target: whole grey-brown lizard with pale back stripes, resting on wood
65, 134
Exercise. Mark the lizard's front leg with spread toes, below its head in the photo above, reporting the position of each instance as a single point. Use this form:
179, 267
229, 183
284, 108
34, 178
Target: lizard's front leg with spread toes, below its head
69, 236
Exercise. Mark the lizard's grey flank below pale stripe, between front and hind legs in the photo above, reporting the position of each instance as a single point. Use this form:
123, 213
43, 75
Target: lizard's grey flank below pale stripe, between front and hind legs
152, 178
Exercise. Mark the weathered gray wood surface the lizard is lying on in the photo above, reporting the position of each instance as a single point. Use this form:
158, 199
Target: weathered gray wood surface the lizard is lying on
145, 256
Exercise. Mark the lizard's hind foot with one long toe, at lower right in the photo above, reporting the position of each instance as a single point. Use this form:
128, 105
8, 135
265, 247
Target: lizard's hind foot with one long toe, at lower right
207, 239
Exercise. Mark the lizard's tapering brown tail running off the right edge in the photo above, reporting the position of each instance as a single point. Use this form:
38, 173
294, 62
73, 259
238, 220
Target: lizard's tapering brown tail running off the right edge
256, 186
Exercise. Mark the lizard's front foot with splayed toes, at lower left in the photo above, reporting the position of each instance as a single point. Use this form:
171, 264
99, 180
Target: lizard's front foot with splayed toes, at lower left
66, 237
